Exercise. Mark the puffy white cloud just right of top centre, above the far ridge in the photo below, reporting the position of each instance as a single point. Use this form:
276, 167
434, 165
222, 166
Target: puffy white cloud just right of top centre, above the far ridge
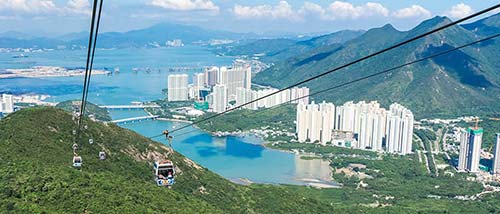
283, 10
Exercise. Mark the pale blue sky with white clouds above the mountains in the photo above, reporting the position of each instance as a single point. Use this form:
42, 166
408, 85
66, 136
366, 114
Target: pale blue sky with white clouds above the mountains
55, 17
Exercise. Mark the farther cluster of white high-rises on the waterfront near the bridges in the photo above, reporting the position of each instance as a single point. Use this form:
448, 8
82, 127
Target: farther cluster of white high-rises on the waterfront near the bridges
220, 86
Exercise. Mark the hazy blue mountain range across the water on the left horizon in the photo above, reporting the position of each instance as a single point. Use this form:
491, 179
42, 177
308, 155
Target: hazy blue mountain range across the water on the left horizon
153, 36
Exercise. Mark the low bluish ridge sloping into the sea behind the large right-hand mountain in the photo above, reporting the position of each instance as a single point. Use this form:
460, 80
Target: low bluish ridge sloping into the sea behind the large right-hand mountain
274, 50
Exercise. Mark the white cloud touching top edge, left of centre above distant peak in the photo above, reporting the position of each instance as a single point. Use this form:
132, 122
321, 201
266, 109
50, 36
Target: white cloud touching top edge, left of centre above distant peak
185, 5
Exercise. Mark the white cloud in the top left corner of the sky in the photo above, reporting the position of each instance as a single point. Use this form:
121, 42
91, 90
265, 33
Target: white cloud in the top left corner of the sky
28, 6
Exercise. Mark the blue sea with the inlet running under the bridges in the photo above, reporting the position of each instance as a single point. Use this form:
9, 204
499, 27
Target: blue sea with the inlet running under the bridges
142, 77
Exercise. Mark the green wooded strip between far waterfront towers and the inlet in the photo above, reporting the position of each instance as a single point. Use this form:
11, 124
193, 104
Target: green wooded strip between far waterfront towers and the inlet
279, 118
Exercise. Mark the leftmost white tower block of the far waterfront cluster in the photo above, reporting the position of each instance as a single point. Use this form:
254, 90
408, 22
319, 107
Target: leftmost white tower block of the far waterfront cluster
178, 87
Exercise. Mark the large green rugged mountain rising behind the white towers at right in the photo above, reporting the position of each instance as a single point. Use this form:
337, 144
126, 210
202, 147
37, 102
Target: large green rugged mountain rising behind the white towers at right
463, 82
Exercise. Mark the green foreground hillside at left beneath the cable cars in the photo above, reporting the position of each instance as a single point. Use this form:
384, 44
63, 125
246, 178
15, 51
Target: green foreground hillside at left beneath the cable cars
36, 174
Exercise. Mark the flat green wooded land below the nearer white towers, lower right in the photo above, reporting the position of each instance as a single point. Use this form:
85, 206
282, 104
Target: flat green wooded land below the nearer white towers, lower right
399, 184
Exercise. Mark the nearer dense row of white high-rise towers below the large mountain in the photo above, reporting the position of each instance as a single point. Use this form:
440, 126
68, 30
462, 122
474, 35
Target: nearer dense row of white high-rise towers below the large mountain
357, 125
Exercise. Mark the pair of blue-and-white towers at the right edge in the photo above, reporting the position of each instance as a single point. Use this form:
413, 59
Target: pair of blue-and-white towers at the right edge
470, 151
